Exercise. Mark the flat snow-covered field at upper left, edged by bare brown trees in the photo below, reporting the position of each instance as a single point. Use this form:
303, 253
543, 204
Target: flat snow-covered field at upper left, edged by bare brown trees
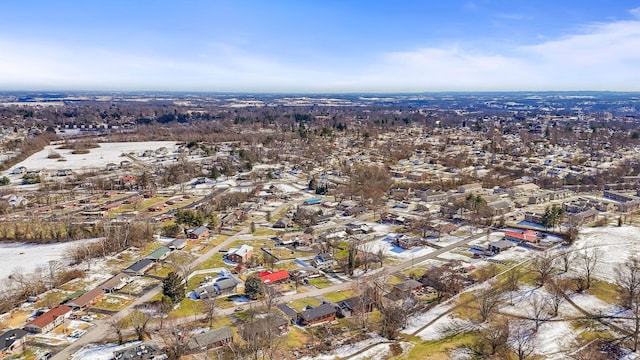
97, 158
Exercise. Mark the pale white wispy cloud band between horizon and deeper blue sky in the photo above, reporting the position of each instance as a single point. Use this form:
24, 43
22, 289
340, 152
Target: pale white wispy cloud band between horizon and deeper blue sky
599, 56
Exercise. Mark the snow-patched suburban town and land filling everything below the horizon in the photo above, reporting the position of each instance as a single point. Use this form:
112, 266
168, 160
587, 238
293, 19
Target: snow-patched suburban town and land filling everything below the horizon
333, 226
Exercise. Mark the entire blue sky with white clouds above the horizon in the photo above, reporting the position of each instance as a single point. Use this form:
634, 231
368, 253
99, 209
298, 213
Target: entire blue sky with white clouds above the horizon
320, 46
